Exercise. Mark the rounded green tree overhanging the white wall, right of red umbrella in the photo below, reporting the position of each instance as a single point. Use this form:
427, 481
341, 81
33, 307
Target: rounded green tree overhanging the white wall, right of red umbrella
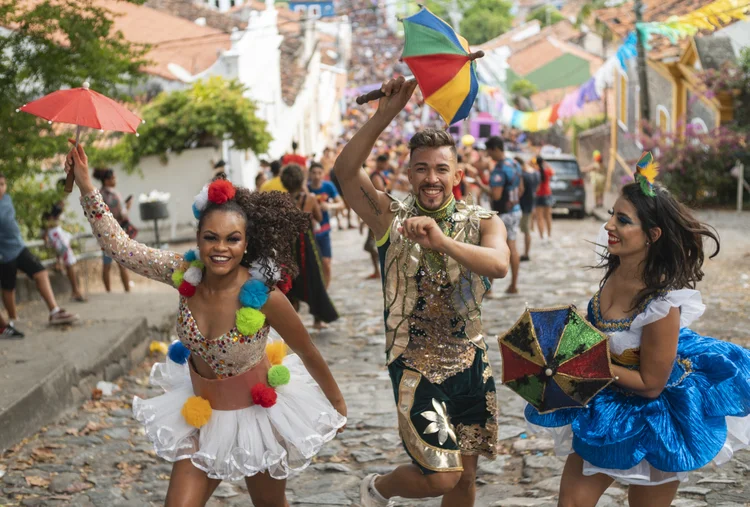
201, 116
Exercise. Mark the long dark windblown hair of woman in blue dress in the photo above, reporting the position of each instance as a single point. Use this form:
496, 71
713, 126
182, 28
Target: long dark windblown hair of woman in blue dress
675, 260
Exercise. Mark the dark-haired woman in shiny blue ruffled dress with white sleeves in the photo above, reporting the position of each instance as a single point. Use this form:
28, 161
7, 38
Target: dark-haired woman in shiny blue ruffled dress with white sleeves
679, 400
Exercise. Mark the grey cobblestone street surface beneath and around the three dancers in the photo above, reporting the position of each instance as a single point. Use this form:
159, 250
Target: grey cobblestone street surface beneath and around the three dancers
100, 457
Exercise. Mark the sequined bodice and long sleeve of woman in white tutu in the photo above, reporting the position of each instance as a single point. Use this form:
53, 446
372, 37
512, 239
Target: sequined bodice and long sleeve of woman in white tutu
227, 355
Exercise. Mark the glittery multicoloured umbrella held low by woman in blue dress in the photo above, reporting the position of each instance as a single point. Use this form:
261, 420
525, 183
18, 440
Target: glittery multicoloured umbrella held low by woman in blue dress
554, 359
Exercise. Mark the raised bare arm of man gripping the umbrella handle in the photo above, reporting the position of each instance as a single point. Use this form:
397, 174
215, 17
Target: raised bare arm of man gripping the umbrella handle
370, 204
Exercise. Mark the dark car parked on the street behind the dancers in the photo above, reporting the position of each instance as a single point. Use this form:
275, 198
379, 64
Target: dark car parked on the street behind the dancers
568, 190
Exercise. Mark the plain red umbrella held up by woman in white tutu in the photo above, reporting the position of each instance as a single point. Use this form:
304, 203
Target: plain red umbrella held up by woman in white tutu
85, 108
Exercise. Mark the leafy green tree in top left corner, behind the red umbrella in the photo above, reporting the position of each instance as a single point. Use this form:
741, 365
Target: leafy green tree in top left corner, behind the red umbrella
53, 44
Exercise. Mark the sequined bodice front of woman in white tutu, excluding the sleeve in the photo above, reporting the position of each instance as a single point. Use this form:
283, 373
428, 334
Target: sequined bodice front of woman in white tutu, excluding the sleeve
227, 355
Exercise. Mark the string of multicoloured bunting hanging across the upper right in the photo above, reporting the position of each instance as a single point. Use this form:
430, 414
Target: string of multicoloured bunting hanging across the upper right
708, 18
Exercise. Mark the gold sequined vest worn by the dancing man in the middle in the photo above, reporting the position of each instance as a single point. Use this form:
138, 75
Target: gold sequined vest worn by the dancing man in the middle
429, 297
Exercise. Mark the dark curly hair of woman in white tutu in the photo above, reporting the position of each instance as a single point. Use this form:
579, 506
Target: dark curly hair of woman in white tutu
273, 224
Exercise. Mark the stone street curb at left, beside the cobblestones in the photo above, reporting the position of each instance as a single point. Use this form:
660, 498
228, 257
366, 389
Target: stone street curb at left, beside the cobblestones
67, 386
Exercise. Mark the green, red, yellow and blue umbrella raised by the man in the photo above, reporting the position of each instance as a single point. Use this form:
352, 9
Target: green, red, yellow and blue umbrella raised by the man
442, 64
